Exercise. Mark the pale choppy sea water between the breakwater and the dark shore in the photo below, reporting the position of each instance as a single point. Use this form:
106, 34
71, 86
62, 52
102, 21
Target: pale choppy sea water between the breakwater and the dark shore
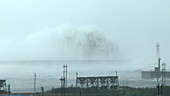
20, 74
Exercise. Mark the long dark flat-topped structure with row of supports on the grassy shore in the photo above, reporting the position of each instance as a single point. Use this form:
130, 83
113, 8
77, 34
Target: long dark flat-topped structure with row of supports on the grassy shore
98, 82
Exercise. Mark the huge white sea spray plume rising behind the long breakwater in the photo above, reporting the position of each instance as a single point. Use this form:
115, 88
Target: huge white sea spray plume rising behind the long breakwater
63, 42
